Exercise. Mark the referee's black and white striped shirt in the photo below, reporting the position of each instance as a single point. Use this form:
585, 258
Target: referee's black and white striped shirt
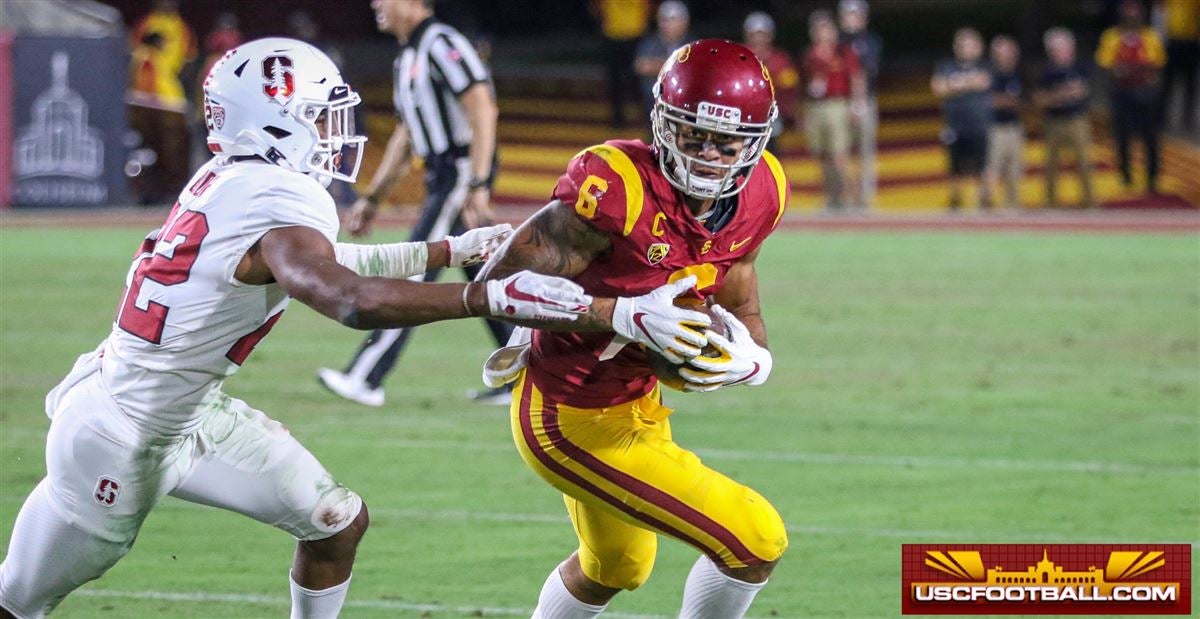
433, 71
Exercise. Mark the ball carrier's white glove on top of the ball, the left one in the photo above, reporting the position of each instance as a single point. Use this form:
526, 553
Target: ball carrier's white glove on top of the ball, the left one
655, 322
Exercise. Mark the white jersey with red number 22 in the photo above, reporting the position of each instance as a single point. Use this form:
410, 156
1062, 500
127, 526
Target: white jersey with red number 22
185, 323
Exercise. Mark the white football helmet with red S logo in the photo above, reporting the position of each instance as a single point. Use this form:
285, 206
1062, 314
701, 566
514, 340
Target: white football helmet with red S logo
285, 101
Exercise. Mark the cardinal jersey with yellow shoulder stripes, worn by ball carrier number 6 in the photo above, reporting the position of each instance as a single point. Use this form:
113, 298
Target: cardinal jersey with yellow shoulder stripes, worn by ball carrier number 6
619, 189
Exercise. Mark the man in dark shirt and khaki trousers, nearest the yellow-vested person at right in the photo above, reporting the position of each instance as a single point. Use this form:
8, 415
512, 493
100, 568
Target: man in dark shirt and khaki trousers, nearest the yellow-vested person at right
1063, 95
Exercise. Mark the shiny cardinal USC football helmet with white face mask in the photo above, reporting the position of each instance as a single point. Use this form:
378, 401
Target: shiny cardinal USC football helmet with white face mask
719, 89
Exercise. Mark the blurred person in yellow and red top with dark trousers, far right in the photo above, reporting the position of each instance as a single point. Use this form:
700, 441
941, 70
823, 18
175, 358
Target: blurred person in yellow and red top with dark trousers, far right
1133, 55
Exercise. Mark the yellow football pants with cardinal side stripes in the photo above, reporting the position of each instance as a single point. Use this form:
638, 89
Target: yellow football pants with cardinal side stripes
625, 480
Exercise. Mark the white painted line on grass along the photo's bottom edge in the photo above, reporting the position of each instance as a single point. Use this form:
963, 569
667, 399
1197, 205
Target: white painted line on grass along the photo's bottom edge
379, 605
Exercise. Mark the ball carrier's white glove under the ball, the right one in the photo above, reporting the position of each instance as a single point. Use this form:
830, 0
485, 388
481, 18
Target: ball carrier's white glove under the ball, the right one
742, 362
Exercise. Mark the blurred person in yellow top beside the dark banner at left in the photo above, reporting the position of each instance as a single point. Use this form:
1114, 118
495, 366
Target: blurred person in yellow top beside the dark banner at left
163, 45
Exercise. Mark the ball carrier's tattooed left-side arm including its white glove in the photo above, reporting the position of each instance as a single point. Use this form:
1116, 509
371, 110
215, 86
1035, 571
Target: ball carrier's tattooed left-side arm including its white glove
556, 242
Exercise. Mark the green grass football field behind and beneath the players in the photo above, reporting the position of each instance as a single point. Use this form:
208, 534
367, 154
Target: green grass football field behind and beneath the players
928, 388
